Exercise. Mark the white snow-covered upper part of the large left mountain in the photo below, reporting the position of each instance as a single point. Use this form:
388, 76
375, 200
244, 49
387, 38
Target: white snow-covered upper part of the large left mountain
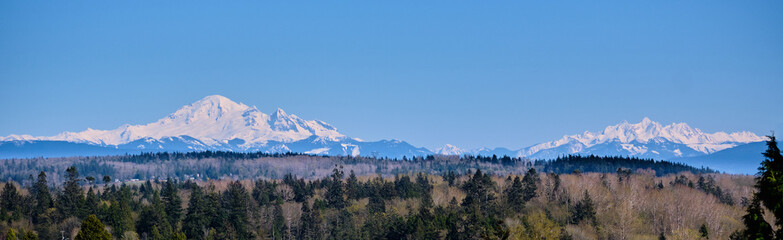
213, 120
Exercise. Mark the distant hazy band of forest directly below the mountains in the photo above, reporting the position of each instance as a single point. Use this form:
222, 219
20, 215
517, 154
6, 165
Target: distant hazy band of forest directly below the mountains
210, 165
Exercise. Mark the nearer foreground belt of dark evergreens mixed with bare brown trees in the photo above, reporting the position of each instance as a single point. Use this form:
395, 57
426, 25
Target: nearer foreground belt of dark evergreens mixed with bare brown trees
464, 205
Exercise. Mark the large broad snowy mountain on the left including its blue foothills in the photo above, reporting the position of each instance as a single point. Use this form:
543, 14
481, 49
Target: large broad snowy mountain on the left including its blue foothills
217, 123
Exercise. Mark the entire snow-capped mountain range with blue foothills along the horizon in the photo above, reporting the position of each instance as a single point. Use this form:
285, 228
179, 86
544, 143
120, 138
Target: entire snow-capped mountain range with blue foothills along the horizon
217, 123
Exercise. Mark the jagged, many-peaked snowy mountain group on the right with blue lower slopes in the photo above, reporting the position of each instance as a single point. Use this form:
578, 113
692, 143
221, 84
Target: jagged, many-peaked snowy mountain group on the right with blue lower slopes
646, 139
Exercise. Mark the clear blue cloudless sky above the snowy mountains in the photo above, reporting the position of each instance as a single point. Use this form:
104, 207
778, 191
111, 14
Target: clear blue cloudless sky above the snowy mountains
490, 73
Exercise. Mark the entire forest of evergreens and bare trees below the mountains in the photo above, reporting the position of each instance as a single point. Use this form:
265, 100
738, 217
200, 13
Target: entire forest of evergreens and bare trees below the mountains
435, 197
